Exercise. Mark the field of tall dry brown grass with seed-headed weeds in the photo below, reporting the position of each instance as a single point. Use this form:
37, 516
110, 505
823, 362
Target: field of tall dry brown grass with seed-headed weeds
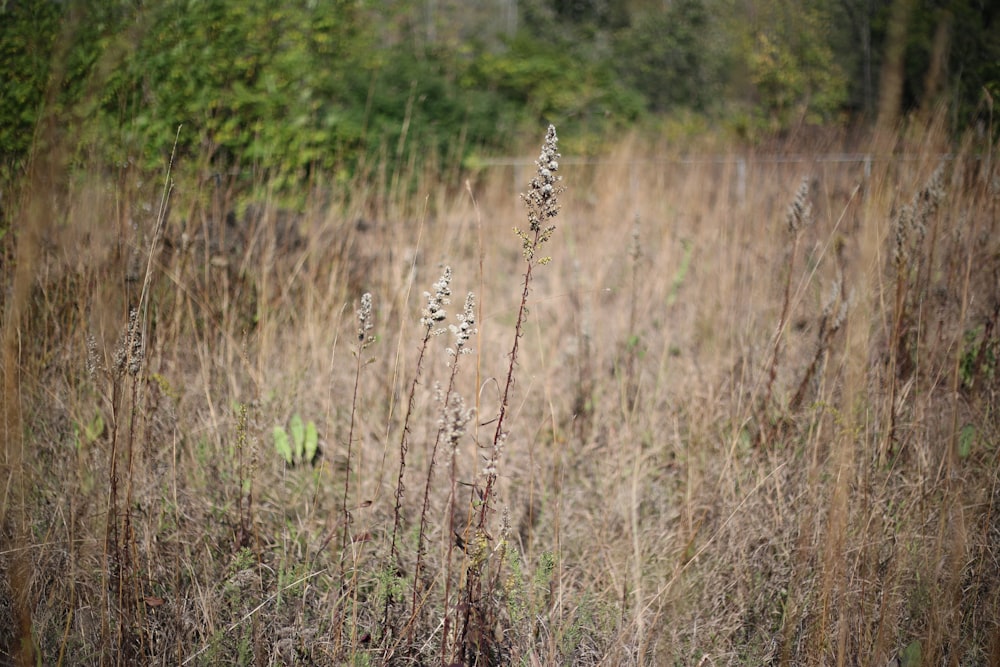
744, 416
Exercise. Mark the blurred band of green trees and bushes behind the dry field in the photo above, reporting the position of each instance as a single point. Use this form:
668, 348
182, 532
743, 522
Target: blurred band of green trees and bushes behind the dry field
337, 85
